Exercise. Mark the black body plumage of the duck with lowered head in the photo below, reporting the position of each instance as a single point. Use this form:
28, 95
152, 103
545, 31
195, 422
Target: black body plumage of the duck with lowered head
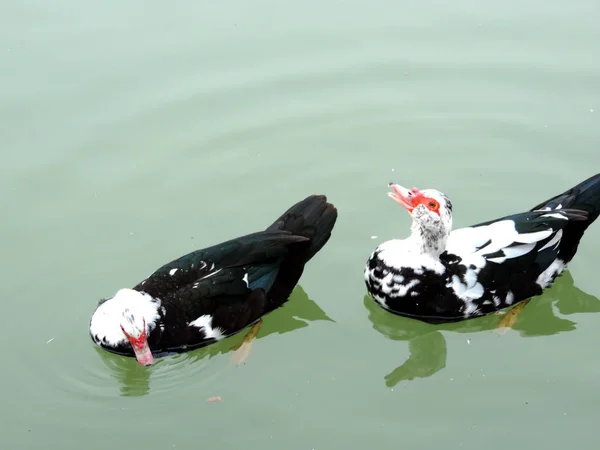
235, 282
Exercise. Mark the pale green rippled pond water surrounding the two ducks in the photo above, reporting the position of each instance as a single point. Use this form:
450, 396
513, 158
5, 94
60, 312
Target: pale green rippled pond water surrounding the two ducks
134, 132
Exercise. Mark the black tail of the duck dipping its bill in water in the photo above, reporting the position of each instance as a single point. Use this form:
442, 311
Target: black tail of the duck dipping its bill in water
313, 218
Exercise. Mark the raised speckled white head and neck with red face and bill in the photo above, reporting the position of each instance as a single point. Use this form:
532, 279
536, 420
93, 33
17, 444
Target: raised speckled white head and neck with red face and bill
431, 212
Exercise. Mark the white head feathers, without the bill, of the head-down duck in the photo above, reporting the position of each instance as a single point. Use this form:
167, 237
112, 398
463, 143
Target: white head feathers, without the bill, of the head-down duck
105, 325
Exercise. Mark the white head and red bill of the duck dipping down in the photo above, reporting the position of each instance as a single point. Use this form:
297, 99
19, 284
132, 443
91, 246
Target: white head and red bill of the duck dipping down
126, 320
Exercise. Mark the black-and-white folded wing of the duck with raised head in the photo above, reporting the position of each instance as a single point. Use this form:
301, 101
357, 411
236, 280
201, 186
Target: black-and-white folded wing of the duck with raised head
506, 260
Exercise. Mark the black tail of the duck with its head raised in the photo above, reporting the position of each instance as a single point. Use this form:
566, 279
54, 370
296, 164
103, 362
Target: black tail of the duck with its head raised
583, 198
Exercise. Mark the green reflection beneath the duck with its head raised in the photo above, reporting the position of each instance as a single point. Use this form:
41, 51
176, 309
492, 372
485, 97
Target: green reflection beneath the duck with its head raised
428, 346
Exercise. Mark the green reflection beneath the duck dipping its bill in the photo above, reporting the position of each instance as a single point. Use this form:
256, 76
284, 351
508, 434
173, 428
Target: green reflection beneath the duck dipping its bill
135, 379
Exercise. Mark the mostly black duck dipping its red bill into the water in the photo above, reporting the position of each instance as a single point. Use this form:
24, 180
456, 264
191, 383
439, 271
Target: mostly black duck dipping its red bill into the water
210, 294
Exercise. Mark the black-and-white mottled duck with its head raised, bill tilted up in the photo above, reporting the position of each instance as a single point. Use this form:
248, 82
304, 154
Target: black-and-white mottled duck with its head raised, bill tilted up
437, 275
